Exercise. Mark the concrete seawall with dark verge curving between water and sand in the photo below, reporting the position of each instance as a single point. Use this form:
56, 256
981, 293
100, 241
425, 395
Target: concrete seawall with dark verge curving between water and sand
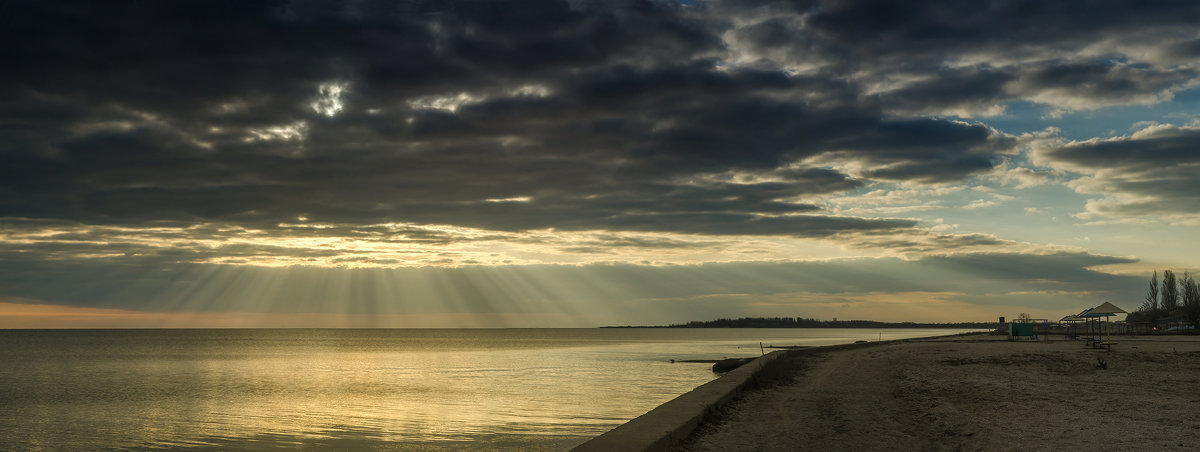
675, 421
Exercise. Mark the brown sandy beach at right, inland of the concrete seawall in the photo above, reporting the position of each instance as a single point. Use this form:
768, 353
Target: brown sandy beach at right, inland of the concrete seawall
973, 394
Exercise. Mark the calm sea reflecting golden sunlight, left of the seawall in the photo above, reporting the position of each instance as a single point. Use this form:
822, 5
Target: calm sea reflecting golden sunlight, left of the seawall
356, 389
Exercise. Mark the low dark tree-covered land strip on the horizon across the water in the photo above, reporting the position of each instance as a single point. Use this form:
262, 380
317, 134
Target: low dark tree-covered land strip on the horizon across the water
801, 323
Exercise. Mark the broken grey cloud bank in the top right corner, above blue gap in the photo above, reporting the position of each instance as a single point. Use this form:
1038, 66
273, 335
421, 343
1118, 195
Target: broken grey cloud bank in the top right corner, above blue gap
970, 57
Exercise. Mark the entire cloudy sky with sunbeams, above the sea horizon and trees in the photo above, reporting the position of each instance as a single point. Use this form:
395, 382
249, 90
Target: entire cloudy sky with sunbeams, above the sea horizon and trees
581, 164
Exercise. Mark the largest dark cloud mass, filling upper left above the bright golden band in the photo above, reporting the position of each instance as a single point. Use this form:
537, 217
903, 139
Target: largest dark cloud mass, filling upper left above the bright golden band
605, 117
